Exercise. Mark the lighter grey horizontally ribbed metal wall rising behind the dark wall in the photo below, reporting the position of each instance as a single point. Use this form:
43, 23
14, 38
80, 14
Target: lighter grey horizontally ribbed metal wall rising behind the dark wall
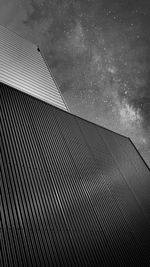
22, 67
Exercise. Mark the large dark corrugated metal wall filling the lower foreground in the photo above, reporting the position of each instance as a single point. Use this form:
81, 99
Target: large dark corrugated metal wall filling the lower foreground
67, 198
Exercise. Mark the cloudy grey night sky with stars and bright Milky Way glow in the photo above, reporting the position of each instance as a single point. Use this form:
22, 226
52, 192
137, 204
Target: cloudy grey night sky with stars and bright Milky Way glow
99, 53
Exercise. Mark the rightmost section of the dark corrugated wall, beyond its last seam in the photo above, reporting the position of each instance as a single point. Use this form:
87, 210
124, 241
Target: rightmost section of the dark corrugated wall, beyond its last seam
127, 159
